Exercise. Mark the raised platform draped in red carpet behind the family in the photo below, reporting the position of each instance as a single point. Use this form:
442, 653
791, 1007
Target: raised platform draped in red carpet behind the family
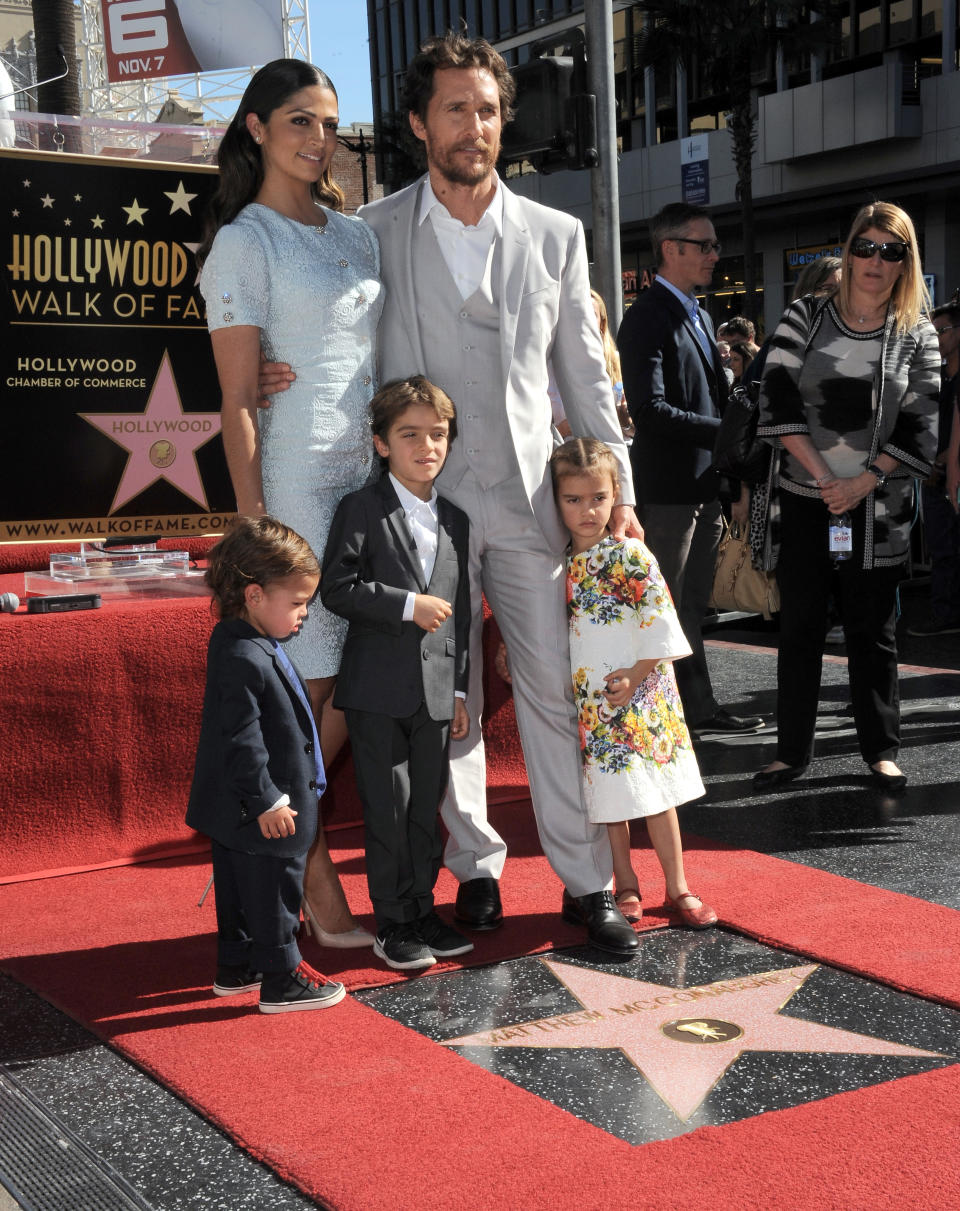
100, 713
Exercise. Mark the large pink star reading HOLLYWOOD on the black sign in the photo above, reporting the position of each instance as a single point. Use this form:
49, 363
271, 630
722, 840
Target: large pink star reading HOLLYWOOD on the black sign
163, 441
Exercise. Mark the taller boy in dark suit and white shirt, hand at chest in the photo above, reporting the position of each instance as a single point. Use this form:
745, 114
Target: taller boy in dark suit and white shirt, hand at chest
395, 566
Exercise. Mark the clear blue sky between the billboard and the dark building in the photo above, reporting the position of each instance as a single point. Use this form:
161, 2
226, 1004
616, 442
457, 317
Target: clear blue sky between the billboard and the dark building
338, 45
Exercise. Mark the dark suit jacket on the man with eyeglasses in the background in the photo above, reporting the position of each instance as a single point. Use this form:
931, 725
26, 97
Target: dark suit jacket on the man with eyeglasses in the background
676, 395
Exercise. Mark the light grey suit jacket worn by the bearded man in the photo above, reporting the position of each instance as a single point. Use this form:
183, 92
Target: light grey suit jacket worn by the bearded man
547, 319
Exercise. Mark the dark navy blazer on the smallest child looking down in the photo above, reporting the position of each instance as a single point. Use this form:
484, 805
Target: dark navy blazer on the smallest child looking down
256, 744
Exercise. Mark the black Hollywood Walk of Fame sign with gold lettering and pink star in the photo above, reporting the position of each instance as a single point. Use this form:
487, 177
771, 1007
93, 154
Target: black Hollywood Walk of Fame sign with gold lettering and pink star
110, 391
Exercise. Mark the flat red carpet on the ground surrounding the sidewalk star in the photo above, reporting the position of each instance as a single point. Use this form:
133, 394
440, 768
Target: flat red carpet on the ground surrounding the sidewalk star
348, 1105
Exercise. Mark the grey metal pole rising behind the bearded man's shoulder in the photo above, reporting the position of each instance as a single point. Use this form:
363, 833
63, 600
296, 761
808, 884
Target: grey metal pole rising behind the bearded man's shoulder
605, 180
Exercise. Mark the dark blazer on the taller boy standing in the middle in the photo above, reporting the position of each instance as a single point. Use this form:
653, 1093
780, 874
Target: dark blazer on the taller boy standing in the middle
371, 564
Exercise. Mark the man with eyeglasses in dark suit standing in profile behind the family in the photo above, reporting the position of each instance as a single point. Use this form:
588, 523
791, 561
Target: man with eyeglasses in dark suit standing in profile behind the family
676, 388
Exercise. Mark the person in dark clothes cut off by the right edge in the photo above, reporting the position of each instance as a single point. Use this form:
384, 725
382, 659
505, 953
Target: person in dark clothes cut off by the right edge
941, 521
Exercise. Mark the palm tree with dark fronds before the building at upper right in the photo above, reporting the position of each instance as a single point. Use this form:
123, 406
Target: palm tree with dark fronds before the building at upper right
733, 43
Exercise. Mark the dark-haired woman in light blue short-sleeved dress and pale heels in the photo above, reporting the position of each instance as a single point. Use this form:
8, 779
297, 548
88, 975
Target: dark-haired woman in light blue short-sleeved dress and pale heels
286, 273
